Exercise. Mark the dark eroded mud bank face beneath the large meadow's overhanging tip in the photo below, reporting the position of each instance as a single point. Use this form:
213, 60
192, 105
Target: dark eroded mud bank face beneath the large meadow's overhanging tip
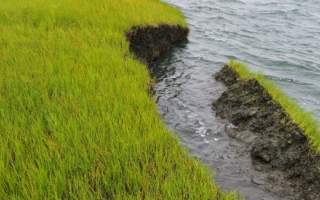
148, 42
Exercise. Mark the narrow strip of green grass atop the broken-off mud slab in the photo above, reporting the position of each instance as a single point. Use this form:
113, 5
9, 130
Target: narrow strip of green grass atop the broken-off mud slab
305, 120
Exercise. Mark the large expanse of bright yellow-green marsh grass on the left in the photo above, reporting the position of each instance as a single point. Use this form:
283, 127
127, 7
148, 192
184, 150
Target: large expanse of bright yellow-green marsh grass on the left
76, 121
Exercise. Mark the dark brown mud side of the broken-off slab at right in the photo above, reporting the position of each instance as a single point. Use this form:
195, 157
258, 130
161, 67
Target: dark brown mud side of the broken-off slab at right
280, 143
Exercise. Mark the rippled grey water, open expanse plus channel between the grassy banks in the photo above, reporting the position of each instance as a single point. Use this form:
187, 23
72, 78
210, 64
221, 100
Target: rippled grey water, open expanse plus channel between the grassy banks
279, 38
